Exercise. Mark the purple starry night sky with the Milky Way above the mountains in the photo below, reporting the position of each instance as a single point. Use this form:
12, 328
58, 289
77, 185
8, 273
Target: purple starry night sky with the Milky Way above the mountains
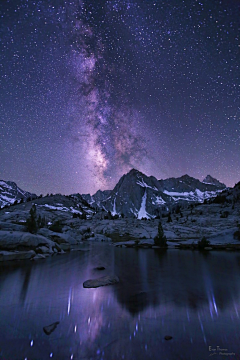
91, 89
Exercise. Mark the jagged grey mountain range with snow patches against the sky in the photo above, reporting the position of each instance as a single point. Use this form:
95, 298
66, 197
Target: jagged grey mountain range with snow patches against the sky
135, 194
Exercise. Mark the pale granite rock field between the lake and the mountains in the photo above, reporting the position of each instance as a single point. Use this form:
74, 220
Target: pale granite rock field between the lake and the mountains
216, 222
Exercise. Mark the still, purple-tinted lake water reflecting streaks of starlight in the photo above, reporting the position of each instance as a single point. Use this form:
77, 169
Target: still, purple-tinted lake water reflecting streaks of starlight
191, 296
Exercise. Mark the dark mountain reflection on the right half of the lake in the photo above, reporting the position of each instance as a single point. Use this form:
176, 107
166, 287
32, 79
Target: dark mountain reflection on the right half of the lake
177, 278
